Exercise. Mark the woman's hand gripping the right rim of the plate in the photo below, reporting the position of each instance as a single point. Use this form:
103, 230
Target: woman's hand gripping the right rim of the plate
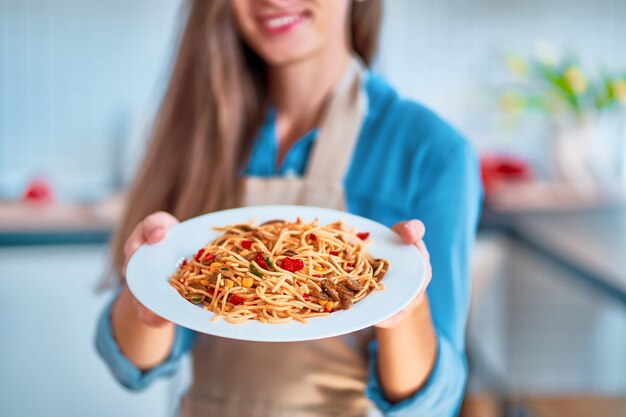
411, 232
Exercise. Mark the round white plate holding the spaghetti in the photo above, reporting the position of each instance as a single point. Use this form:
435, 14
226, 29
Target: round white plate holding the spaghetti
151, 266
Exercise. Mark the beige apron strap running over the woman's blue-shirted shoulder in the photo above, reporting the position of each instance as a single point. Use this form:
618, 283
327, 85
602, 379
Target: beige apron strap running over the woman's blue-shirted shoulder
339, 127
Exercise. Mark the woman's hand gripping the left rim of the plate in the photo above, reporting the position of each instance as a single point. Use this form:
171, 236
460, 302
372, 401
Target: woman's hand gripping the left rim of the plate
150, 230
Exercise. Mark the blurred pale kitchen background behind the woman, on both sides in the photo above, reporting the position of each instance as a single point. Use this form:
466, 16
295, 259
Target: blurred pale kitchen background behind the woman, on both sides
539, 88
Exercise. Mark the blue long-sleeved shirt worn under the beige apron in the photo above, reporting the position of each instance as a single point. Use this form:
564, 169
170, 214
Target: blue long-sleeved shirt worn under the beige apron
407, 164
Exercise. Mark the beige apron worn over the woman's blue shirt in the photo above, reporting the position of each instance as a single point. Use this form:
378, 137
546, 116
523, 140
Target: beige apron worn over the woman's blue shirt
298, 379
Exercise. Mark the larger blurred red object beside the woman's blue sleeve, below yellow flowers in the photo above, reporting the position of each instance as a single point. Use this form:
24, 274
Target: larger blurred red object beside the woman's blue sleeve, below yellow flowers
497, 170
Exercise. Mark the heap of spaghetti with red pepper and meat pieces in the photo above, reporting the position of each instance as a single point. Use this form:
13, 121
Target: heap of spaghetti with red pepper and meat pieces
280, 271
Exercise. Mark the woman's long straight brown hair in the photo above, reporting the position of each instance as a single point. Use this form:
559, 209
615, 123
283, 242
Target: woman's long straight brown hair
215, 103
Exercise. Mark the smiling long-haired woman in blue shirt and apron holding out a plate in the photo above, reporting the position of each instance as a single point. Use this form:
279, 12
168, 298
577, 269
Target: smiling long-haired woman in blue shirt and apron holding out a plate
270, 102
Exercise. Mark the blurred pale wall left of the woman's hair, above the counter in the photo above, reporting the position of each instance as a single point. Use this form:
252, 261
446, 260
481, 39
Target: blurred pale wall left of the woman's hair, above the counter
78, 82
